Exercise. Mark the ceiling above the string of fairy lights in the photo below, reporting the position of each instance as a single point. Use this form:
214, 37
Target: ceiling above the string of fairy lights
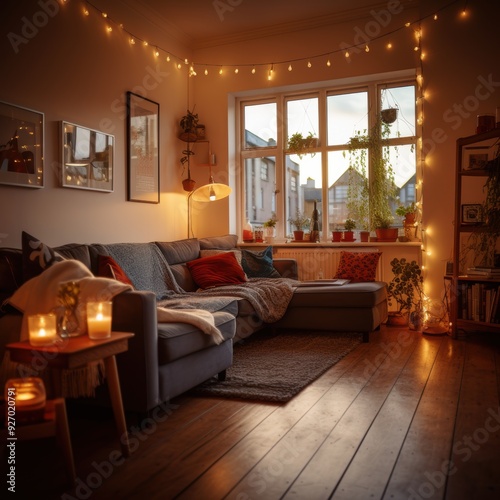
202, 23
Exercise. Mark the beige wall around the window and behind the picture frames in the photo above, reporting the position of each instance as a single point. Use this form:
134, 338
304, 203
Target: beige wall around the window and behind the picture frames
72, 70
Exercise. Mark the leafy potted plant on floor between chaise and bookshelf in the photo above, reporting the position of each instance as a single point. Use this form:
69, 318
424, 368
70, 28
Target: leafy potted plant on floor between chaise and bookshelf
406, 290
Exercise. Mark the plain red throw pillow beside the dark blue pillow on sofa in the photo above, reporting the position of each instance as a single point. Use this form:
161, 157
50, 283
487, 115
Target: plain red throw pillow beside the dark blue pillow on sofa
221, 269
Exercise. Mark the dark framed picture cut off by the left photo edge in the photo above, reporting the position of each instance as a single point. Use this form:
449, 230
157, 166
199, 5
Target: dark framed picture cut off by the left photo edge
21, 146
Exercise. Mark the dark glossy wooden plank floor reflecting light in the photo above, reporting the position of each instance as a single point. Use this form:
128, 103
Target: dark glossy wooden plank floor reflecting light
407, 416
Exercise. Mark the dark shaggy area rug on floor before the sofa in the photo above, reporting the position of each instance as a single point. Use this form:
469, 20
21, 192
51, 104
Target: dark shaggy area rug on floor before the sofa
275, 367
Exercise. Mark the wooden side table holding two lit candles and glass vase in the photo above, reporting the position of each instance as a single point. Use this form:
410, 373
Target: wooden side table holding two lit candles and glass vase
78, 351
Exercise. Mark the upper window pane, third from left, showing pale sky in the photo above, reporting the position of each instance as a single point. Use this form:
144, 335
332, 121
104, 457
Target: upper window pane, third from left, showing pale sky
347, 115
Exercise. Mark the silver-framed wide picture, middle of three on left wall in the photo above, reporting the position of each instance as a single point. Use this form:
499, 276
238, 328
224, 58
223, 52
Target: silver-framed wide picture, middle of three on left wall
87, 158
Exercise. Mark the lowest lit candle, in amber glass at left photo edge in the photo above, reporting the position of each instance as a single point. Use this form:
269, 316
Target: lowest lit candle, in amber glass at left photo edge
25, 399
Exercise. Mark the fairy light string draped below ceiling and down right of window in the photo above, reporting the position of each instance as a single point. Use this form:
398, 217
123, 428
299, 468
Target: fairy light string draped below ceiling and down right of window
325, 59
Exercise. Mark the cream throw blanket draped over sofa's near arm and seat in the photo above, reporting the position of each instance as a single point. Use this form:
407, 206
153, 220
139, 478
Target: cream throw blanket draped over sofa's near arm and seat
39, 296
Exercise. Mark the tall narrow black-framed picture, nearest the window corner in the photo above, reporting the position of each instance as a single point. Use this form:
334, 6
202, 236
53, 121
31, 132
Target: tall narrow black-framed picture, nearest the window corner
143, 156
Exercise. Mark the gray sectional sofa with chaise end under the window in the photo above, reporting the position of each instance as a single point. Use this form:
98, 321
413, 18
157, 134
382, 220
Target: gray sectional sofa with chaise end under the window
165, 360
